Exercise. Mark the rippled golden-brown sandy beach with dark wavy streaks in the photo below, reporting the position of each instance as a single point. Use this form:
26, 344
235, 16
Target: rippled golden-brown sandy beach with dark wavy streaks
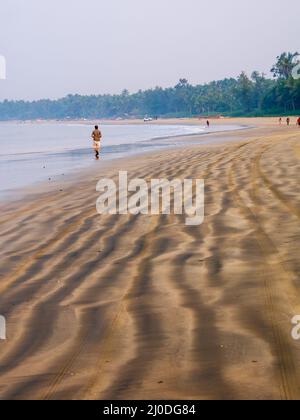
145, 307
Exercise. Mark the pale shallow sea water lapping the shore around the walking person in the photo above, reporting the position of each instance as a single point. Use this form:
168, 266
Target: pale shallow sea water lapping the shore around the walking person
31, 153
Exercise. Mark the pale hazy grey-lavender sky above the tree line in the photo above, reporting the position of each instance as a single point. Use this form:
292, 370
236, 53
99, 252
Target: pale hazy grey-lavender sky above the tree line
57, 47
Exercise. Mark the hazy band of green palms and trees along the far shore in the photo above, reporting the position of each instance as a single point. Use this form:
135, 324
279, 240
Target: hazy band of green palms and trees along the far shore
244, 96
